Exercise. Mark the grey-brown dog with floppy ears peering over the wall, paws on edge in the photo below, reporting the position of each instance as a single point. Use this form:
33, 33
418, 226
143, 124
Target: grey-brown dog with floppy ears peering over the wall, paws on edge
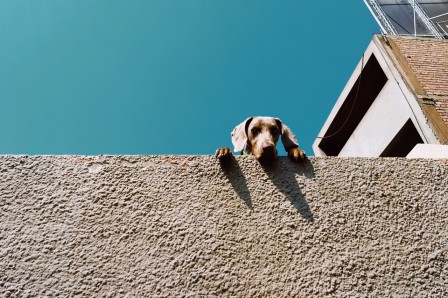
258, 136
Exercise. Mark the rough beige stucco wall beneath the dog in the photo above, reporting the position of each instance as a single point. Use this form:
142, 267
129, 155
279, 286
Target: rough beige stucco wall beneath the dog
174, 226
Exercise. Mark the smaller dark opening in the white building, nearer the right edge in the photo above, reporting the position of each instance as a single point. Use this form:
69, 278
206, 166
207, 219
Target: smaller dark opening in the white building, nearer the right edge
403, 142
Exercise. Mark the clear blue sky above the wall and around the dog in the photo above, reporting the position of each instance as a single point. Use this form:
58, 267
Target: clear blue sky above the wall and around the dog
169, 76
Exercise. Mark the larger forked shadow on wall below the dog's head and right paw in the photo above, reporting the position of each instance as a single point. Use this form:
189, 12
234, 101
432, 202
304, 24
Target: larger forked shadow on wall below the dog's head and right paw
283, 174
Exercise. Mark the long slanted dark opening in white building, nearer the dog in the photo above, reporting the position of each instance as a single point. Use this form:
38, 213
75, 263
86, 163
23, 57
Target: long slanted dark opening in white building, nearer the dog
373, 80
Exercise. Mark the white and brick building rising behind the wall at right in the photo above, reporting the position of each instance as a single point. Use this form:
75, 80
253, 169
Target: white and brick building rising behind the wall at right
398, 100
